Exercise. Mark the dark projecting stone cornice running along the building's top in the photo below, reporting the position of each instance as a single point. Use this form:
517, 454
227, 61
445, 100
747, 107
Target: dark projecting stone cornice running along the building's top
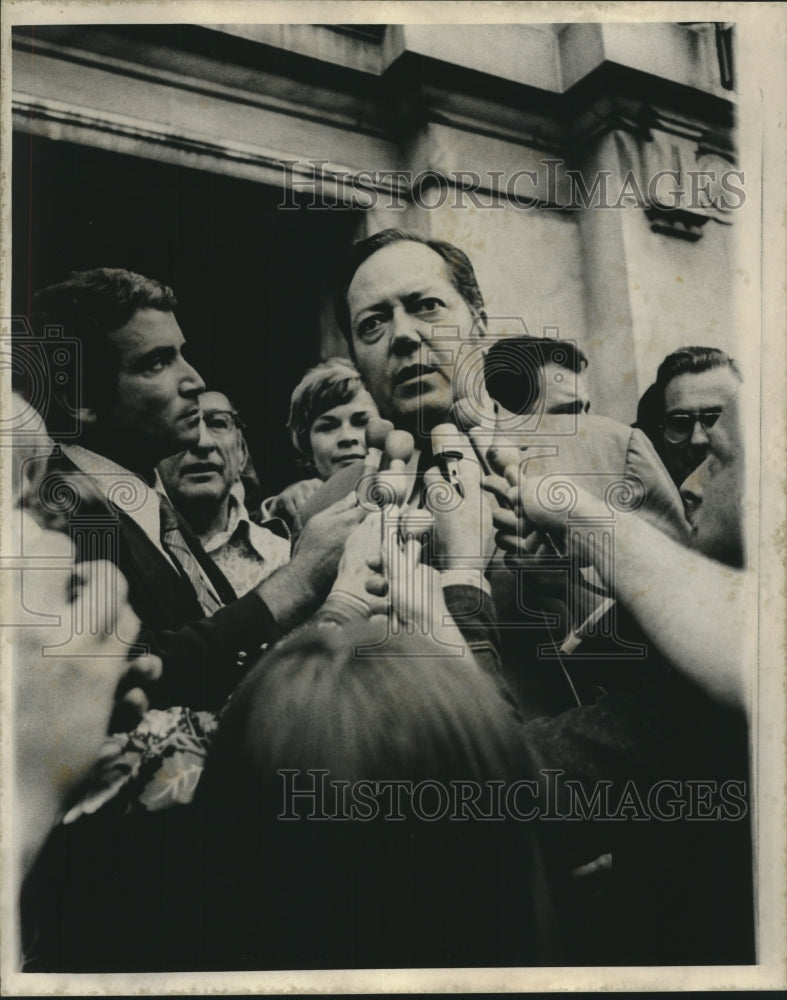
414, 89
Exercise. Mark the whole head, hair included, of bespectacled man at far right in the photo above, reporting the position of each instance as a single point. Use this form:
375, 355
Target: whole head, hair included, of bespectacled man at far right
693, 385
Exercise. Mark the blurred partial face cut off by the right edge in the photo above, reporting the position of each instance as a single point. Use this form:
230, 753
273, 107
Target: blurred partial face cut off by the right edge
717, 486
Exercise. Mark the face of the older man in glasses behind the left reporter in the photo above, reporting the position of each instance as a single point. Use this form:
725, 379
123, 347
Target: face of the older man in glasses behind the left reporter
209, 469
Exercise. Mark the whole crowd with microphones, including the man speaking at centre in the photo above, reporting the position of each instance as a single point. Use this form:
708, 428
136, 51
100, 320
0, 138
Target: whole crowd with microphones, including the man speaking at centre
423, 610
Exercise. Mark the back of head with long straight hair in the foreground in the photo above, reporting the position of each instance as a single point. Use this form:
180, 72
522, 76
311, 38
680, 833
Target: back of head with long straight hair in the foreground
333, 714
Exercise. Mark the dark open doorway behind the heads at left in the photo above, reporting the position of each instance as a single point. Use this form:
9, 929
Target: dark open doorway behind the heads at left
252, 281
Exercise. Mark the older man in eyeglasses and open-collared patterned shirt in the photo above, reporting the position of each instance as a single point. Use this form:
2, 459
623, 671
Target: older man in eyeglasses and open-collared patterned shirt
204, 484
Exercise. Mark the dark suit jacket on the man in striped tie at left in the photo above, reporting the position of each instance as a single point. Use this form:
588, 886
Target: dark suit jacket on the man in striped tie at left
202, 656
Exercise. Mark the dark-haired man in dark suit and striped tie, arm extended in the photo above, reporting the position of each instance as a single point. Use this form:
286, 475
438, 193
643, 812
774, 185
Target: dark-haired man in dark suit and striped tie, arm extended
137, 402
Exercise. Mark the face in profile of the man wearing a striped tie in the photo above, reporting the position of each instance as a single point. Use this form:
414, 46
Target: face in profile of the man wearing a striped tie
154, 409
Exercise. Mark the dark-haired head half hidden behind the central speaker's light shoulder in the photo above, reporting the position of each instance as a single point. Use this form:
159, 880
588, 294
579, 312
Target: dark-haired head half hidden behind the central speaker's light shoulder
537, 374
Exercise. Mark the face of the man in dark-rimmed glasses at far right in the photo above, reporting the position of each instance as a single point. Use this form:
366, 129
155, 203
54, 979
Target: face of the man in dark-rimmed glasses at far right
691, 400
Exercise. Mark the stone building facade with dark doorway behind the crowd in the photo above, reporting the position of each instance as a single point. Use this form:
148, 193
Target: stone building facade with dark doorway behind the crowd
588, 169
